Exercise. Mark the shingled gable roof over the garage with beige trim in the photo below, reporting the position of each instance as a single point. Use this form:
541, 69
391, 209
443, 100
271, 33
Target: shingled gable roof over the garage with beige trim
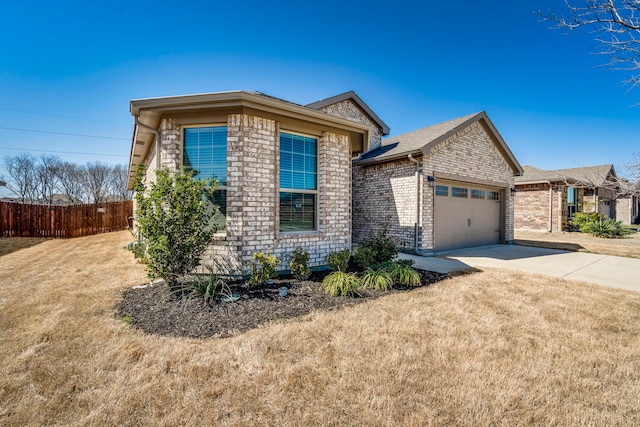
422, 141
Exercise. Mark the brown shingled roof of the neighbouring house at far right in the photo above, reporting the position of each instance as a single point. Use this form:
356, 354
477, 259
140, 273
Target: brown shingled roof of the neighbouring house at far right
588, 175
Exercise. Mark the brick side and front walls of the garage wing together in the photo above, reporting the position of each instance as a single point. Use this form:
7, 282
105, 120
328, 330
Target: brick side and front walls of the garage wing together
385, 194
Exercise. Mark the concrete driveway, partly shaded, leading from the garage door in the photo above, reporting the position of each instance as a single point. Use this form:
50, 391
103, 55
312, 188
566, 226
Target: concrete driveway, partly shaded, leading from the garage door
606, 270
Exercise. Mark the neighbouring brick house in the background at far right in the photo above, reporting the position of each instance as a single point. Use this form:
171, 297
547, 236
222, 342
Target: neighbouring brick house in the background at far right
547, 199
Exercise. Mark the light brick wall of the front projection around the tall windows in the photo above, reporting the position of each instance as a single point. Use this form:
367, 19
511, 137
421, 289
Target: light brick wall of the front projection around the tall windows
253, 194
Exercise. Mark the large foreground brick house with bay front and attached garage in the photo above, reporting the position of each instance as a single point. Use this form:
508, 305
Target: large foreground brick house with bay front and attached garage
310, 176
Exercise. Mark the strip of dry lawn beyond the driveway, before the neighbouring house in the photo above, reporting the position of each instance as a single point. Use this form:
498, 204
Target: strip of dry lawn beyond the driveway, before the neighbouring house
628, 246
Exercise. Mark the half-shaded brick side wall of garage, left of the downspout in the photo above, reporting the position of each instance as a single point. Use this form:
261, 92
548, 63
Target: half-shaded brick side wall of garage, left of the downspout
385, 196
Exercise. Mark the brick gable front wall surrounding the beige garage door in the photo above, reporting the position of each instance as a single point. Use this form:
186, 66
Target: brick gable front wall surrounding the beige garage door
469, 154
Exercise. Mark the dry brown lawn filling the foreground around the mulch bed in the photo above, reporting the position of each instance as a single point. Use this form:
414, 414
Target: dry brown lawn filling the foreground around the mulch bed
490, 348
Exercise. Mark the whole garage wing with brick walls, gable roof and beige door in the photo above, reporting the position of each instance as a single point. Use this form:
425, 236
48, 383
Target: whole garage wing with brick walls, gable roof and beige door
443, 187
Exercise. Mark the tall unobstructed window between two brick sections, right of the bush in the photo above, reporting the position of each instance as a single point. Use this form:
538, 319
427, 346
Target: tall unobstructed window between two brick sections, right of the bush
298, 182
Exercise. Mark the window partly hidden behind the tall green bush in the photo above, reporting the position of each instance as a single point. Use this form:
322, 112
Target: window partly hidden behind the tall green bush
205, 153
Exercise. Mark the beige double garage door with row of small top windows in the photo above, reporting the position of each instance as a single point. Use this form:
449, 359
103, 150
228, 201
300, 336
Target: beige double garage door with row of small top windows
466, 215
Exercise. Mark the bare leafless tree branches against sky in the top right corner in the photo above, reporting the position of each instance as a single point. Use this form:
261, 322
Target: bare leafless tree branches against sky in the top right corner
616, 24
